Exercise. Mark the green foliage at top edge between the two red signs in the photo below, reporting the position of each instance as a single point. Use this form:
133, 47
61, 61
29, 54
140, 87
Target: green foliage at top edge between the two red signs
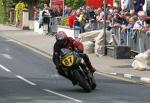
74, 4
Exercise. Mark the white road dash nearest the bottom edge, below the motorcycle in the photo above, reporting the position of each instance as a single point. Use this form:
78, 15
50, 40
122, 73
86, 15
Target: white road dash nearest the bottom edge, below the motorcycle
49, 91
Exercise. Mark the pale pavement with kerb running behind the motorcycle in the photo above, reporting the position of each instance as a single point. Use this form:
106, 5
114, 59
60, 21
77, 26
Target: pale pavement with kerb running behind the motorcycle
105, 65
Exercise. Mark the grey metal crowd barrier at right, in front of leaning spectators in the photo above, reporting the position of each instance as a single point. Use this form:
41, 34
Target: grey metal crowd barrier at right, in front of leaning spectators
137, 40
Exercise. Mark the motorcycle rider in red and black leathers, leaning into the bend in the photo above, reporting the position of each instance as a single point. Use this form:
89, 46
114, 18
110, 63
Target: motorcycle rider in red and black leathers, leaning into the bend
62, 41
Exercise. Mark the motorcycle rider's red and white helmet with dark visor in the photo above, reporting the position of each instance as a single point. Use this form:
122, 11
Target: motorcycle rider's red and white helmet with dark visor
61, 38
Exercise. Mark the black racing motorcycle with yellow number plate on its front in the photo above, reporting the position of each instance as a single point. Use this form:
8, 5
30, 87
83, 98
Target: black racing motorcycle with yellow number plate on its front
74, 68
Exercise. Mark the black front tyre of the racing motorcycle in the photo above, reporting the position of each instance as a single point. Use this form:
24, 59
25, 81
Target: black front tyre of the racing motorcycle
82, 81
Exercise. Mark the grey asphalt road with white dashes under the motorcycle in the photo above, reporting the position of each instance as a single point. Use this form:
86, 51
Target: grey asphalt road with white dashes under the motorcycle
27, 77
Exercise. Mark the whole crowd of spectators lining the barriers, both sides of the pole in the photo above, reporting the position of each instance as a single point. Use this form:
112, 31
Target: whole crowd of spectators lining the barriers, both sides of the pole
87, 18
